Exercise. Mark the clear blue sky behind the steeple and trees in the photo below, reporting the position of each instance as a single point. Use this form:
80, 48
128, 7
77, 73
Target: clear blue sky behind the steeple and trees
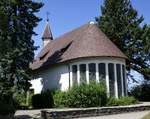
66, 15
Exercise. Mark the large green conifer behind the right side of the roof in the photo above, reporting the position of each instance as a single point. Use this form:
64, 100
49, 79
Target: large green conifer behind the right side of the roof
122, 24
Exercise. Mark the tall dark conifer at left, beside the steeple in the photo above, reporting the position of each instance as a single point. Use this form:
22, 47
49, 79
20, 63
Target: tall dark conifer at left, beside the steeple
17, 21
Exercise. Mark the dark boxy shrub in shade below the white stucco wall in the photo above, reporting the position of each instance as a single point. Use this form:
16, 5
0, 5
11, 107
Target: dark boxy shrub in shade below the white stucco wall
43, 100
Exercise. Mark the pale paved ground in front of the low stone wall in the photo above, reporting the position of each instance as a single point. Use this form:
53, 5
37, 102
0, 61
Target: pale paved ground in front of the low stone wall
132, 115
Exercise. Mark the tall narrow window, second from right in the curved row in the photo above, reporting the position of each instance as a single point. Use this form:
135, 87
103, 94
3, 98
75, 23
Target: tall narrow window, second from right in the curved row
119, 81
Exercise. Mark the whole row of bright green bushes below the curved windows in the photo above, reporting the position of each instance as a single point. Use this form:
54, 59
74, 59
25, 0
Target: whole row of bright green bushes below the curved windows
89, 95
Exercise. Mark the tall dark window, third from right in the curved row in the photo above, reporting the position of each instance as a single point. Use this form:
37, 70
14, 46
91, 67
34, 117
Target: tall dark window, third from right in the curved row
111, 79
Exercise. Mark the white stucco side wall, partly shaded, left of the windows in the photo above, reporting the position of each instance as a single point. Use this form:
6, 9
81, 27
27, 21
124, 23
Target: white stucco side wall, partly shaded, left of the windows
54, 78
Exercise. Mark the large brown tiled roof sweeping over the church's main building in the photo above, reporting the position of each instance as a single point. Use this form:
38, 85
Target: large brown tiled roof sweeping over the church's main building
86, 41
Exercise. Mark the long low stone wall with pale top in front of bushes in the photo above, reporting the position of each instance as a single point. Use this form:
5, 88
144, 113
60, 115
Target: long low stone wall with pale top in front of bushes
89, 112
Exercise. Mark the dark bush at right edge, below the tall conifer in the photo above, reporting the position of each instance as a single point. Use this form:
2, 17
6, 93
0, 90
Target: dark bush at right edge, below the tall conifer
141, 92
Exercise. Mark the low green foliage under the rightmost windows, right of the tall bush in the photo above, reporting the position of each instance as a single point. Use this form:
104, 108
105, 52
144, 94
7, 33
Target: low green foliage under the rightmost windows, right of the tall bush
121, 101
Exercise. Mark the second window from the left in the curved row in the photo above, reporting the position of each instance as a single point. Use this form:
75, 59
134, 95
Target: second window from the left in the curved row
82, 73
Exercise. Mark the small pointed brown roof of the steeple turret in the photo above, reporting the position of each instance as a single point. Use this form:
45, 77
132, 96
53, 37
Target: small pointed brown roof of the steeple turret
47, 34
